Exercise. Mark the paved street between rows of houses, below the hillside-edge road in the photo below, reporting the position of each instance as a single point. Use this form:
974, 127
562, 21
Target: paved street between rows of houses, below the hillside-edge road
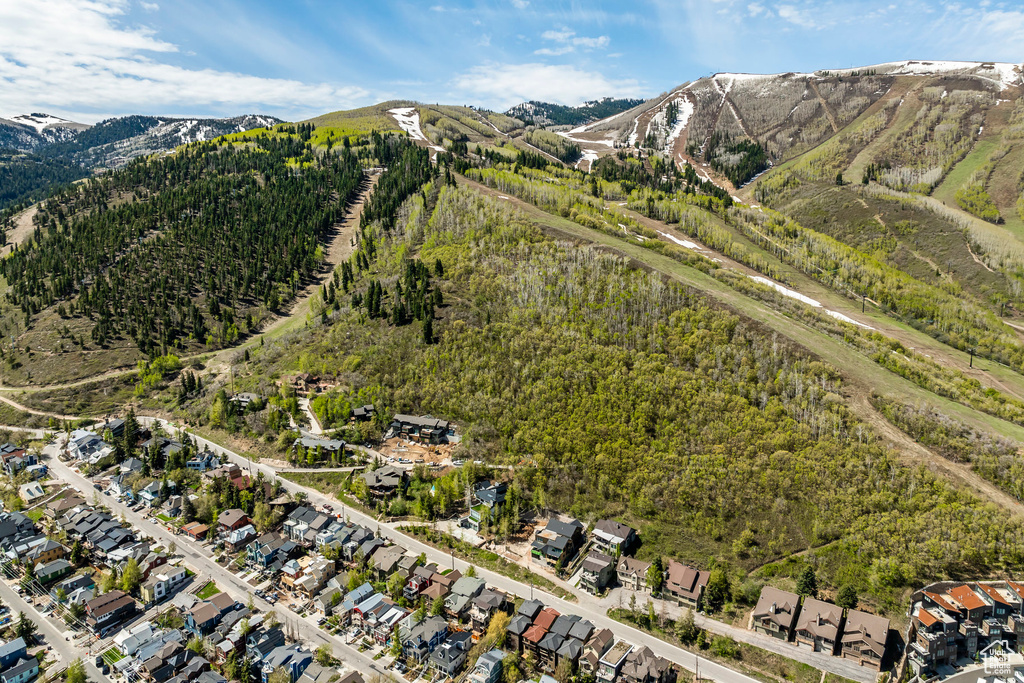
199, 559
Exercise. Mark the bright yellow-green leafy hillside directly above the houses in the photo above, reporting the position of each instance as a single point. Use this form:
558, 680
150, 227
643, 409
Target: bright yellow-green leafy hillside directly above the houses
620, 394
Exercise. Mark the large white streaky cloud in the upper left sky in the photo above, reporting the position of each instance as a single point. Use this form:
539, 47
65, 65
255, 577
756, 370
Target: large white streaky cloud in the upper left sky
66, 56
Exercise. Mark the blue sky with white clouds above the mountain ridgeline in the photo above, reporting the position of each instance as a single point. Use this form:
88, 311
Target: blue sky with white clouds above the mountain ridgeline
88, 60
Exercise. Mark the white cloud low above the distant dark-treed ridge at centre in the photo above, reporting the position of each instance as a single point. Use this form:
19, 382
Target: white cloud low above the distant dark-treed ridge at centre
504, 86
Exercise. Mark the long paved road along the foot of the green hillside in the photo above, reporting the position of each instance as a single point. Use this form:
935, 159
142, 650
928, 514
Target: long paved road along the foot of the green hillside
586, 609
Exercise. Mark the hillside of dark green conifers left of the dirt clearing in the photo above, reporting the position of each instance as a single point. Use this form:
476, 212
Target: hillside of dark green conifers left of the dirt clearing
186, 252
